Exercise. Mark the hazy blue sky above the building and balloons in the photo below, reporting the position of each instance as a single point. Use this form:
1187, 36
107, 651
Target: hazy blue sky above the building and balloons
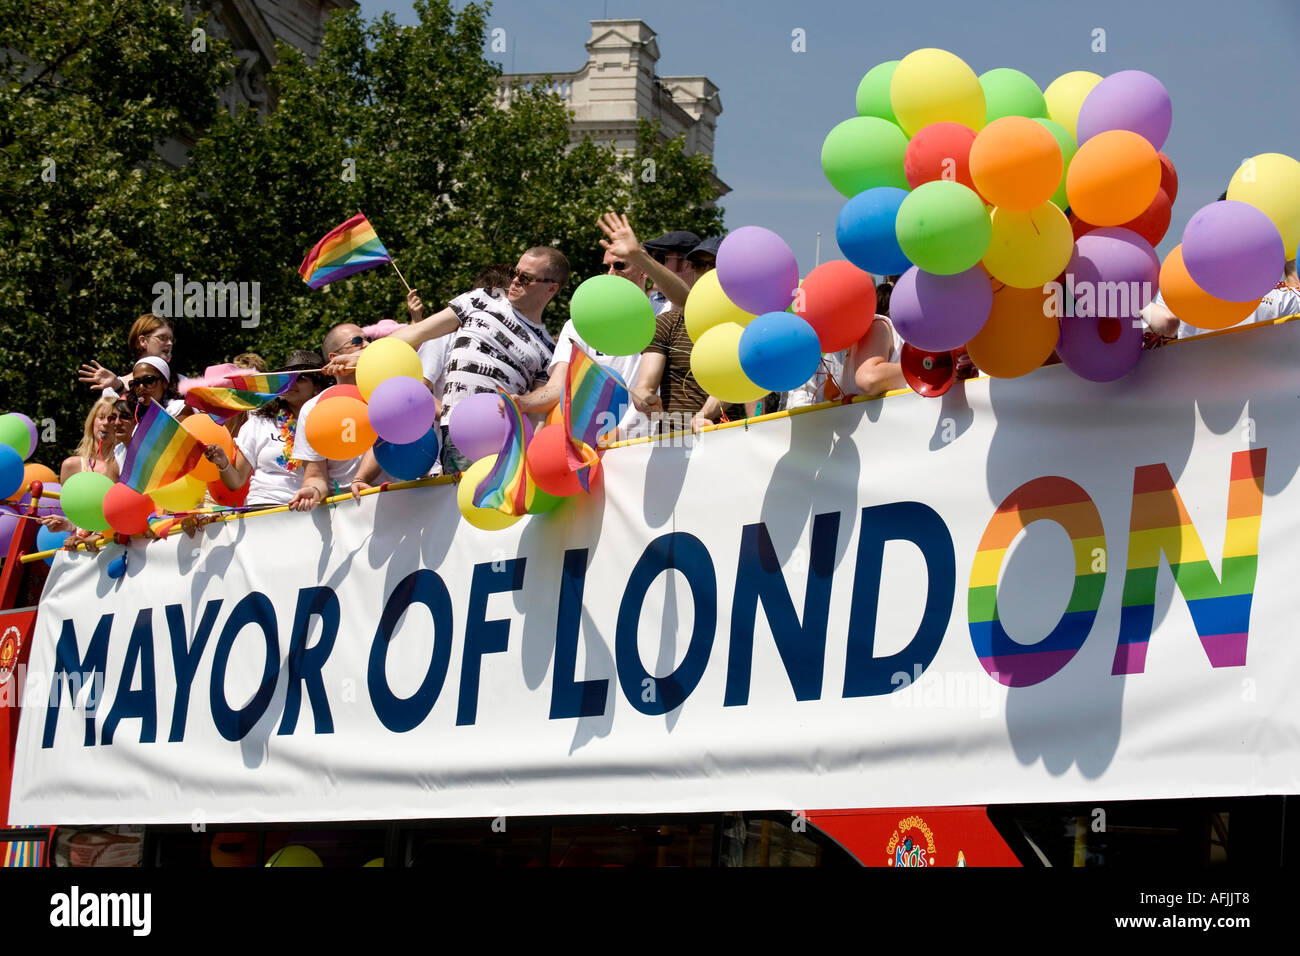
1230, 70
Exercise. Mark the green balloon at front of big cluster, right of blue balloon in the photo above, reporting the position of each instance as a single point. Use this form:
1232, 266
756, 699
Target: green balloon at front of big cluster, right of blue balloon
943, 228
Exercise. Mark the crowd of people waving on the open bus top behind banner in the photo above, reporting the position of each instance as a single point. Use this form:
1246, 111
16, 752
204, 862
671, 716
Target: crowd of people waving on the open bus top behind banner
488, 340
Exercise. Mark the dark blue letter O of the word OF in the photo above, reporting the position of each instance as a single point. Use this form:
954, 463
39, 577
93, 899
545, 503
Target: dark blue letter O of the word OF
401, 715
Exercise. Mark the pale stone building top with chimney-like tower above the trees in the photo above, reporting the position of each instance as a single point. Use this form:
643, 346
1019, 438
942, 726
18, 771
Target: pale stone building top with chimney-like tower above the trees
618, 86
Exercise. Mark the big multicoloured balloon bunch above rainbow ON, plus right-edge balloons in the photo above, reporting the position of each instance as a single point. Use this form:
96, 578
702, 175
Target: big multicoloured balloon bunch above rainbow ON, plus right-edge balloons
1008, 211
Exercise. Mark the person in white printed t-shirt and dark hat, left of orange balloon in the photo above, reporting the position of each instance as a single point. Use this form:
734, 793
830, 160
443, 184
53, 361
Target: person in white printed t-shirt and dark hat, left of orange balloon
266, 440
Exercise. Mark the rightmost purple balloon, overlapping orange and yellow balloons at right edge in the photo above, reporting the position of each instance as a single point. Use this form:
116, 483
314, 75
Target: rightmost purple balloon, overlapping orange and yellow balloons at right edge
1233, 252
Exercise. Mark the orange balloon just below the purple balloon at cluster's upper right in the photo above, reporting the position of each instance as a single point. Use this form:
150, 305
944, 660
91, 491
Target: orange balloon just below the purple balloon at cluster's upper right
1113, 179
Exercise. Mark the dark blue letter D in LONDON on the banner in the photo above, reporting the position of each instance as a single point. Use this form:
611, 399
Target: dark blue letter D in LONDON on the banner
866, 676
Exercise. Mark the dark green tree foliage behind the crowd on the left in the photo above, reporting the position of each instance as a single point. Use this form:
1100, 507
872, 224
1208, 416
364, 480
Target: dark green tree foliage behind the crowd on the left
401, 123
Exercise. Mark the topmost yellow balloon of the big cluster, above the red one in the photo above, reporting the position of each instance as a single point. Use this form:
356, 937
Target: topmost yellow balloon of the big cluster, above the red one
937, 86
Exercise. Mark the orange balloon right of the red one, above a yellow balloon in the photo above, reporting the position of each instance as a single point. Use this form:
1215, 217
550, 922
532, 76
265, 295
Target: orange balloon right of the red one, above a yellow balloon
1016, 163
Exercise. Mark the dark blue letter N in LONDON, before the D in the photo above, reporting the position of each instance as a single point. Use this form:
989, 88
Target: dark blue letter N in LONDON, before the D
759, 578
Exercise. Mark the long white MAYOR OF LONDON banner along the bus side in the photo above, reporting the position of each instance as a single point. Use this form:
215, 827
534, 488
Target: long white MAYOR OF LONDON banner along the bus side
799, 615
